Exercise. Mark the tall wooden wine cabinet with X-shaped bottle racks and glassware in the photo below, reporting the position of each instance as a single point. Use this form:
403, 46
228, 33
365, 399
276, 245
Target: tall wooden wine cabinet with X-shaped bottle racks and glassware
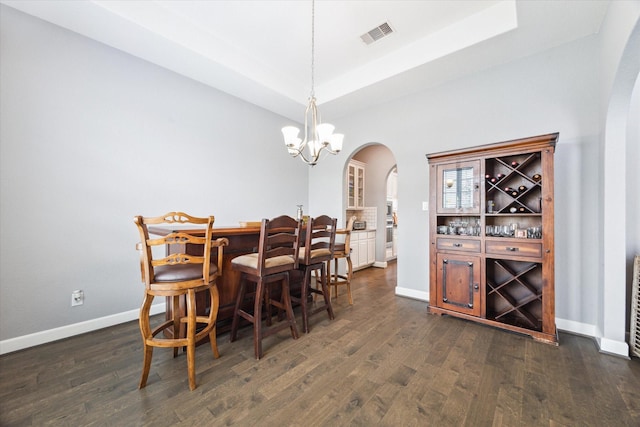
501, 271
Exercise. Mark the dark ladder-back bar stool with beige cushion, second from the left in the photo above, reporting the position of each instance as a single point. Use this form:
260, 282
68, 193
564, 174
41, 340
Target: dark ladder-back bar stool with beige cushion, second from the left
277, 256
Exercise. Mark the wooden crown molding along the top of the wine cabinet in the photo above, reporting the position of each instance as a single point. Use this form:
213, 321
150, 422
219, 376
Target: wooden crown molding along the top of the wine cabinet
534, 143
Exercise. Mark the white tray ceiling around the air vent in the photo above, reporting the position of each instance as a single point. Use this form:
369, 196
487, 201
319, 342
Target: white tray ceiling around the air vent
260, 51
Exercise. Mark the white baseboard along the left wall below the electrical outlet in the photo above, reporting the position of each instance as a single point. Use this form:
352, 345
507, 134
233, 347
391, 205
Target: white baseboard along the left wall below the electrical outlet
43, 337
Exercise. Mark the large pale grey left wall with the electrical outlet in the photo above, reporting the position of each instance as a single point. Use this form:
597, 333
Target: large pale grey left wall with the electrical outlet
90, 137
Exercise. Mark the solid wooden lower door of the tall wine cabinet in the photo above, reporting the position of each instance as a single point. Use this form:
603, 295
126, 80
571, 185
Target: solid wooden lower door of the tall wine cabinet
458, 283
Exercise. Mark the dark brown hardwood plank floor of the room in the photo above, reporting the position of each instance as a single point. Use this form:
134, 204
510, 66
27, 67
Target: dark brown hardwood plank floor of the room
382, 361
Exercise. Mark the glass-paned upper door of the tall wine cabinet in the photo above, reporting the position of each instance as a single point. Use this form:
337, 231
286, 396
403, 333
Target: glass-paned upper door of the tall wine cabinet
458, 188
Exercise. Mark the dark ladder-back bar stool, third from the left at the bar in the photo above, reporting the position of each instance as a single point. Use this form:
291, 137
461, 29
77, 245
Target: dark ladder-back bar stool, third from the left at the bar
319, 241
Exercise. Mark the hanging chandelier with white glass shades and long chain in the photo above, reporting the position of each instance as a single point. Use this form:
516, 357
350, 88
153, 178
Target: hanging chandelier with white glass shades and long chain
318, 137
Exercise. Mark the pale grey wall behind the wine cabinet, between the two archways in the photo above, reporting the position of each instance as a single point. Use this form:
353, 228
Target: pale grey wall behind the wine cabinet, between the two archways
556, 90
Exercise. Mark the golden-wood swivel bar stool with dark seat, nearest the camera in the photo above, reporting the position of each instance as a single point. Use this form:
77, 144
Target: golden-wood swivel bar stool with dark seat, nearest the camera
178, 275
